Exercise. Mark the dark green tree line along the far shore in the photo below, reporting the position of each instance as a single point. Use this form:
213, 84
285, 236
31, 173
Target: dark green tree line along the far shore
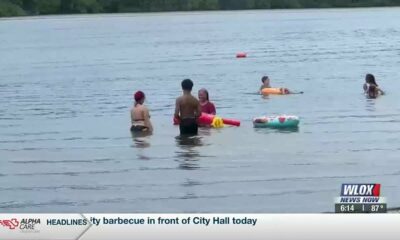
43, 7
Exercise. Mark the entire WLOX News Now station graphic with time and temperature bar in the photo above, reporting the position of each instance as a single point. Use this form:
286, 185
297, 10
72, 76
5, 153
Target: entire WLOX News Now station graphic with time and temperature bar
360, 198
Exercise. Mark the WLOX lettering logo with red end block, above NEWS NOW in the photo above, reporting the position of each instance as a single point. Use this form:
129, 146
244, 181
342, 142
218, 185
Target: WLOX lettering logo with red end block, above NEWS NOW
361, 190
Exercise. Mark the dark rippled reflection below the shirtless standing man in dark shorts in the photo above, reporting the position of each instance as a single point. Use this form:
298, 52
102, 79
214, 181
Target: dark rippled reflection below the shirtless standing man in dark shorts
189, 156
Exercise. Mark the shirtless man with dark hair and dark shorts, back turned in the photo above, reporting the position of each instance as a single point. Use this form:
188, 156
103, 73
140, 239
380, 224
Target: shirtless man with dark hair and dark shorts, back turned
187, 110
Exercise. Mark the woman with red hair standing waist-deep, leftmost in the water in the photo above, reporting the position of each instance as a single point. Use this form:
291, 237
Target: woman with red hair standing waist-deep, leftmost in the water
140, 117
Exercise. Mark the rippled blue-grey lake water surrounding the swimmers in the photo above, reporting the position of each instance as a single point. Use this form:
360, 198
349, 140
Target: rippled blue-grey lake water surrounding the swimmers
66, 85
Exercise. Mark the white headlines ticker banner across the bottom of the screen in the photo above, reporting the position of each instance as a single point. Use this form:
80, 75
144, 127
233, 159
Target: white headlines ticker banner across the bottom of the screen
199, 226
